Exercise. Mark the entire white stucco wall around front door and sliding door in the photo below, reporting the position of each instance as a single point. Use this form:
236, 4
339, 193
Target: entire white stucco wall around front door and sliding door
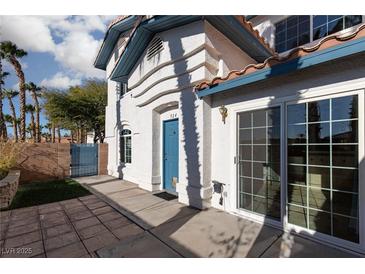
162, 89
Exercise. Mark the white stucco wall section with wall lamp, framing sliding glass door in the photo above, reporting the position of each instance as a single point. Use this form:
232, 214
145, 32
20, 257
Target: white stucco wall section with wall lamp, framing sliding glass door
325, 79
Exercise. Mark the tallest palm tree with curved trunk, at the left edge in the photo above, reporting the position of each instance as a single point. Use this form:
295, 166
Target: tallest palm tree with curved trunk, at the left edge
11, 53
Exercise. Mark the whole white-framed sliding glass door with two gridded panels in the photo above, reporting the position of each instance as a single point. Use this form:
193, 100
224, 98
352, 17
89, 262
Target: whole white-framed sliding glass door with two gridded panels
321, 171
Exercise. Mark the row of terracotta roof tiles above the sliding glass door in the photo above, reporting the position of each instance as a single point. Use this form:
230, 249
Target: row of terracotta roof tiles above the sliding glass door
326, 42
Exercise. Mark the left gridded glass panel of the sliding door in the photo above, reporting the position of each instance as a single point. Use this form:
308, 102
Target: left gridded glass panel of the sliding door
259, 161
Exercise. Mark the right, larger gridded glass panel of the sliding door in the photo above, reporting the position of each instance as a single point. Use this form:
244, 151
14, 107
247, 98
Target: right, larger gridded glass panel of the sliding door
323, 188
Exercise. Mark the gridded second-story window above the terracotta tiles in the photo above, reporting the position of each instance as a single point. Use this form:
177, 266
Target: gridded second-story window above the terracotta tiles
296, 30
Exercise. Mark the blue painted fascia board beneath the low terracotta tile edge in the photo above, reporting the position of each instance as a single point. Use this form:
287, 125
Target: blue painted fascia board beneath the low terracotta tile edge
316, 58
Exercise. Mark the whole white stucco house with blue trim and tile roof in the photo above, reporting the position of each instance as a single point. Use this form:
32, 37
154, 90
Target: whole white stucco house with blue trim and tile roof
260, 116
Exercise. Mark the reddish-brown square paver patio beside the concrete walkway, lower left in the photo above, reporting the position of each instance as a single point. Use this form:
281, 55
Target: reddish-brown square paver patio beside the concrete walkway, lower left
71, 228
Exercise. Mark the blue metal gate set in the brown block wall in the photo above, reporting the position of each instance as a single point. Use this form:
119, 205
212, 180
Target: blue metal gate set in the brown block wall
84, 160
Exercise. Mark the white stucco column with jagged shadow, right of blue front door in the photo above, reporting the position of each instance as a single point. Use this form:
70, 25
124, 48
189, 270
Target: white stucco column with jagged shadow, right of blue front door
194, 185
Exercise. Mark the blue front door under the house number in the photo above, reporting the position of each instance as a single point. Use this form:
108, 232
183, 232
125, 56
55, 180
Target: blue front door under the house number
170, 154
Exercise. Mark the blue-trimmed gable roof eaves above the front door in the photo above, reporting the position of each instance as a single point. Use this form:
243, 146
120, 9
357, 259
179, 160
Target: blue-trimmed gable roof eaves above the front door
235, 28
